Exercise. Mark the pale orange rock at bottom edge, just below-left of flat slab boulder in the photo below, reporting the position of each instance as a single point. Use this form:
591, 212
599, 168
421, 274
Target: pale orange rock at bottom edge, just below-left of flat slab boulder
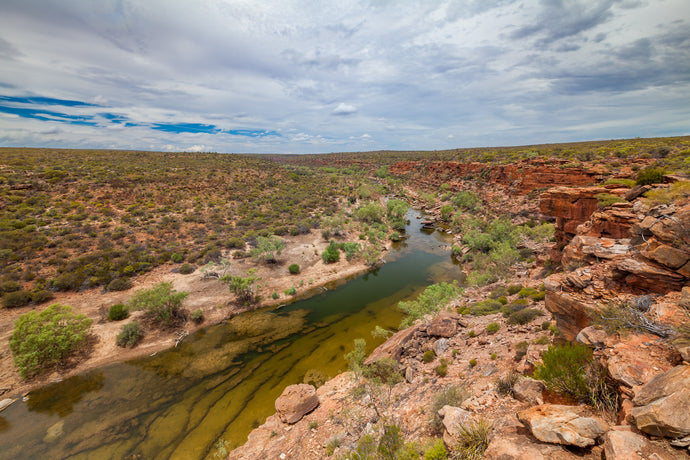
510, 440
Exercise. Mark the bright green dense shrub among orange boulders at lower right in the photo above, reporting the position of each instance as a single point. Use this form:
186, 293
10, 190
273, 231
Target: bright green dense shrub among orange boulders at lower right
563, 369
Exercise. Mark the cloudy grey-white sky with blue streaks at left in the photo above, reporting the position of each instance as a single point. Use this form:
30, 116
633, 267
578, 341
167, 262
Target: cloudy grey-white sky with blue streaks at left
299, 76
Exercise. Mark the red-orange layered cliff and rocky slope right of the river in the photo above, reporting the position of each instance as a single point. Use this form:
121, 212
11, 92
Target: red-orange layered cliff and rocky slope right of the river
629, 254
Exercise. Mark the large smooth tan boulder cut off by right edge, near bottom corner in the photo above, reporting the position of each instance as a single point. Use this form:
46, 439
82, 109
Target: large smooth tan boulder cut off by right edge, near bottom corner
662, 404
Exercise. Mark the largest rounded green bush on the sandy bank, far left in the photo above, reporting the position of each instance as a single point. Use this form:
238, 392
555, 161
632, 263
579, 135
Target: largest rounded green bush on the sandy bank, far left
42, 339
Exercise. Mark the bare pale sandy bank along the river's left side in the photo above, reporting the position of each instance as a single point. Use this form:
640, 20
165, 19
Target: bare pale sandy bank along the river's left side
207, 294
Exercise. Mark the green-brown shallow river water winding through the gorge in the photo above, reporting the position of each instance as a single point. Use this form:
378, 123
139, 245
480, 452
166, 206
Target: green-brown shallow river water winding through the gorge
223, 380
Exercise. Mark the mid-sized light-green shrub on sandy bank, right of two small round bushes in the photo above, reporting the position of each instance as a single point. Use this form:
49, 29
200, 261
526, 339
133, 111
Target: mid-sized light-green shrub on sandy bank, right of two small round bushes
162, 304
